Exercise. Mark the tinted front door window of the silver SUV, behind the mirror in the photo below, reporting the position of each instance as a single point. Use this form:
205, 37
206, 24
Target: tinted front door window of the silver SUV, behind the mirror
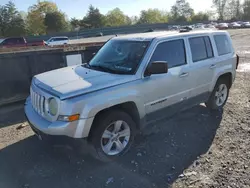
172, 51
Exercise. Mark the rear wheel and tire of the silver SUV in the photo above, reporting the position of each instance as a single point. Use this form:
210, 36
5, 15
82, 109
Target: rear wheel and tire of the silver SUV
214, 103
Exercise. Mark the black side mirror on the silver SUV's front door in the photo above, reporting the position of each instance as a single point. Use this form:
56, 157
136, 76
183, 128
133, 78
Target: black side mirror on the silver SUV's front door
157, 67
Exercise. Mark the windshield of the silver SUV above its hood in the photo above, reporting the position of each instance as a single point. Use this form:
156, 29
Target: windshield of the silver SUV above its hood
119, 56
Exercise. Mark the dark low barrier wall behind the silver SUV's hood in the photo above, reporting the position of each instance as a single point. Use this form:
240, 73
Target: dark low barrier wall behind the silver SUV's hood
18, 67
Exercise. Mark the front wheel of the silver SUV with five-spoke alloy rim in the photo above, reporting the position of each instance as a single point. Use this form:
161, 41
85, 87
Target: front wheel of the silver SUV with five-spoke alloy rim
107, 122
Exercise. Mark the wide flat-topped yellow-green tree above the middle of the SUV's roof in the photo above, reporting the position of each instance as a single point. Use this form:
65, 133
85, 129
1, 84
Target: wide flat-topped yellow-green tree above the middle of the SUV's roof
152, 16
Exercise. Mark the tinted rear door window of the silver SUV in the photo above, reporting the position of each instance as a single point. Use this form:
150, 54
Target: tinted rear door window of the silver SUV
201, 48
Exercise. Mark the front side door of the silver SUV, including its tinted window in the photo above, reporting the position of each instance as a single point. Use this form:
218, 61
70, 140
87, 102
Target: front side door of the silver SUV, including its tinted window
165, 94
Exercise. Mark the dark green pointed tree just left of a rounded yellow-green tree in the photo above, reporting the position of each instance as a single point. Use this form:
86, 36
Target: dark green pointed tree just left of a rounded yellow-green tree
94, 19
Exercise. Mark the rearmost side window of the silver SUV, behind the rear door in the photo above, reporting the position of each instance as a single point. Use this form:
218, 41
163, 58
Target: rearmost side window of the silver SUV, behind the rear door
222, 44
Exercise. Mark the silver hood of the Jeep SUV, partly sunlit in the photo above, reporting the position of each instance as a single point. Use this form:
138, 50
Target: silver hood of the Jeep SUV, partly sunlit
72, 81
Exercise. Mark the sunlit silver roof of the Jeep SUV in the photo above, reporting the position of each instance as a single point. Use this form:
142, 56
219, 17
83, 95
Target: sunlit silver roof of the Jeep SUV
152, 35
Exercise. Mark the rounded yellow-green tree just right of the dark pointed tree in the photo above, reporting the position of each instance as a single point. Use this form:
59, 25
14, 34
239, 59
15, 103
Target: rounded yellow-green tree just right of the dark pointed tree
116, 17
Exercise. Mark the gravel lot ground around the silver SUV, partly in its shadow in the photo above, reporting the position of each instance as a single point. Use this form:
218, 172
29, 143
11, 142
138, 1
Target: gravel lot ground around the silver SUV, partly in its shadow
195, 148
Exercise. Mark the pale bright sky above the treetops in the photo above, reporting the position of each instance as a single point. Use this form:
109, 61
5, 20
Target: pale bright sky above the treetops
78, 8
